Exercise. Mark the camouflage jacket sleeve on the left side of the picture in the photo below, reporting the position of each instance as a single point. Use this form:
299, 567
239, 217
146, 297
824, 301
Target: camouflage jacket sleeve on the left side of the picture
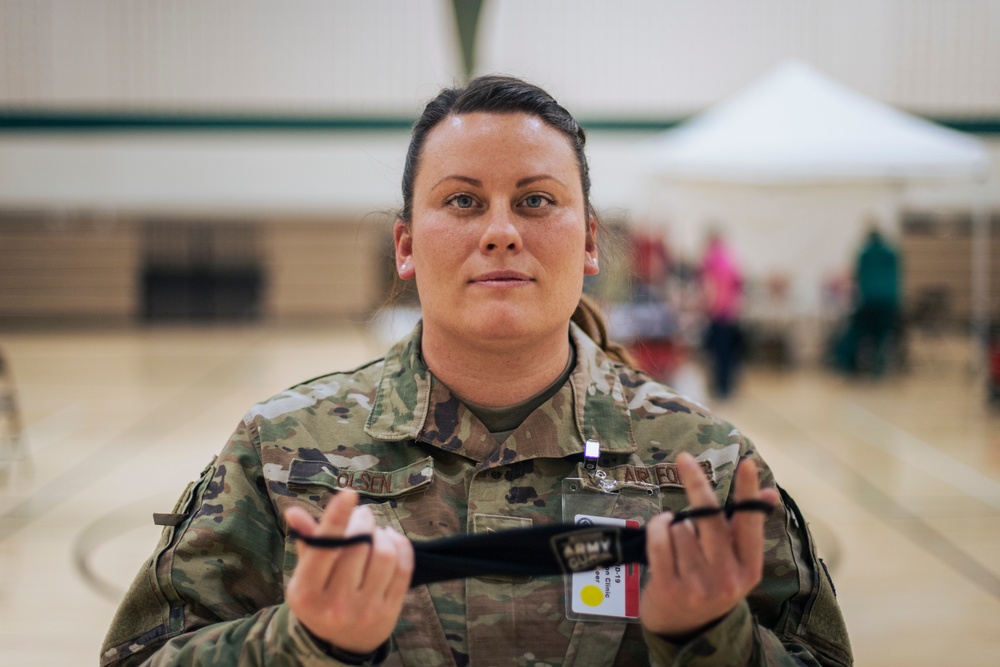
212, 592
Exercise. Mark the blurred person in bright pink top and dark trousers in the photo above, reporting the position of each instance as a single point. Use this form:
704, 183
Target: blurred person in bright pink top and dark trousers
722, 291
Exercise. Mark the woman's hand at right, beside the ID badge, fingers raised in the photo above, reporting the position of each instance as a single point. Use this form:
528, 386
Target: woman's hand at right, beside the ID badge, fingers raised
698, 575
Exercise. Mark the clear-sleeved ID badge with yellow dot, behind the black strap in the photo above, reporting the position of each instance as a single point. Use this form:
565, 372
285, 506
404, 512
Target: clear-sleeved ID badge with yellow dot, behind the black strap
606, 592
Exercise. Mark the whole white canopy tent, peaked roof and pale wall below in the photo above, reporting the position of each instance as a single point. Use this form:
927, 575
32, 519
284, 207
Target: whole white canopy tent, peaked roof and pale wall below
793, 170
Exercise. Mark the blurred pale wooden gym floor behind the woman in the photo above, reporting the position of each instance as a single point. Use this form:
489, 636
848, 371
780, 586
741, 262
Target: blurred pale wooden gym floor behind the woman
900, 478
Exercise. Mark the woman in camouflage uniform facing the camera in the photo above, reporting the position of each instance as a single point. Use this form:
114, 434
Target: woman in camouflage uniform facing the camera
470, 425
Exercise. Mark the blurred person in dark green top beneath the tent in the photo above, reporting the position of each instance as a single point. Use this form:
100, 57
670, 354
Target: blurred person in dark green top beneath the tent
869, 342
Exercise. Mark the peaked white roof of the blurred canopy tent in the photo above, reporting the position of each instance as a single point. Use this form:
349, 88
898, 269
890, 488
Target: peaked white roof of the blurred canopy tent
797, 127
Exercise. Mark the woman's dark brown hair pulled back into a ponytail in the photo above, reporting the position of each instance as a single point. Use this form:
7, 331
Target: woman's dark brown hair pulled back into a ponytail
504, 94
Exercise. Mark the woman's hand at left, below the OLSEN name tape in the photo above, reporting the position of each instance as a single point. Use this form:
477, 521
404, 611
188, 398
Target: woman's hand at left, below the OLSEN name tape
350, 597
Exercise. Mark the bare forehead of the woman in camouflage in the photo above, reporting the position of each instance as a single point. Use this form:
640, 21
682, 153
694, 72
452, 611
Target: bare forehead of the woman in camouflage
499, 140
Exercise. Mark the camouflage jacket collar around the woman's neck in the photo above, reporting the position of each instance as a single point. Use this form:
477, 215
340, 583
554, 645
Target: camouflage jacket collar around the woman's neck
401, 409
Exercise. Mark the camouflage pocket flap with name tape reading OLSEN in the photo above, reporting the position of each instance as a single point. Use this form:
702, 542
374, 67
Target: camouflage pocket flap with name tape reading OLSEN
375, 484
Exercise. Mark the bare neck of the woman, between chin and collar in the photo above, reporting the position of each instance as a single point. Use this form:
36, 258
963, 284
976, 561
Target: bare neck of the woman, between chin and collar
495, 374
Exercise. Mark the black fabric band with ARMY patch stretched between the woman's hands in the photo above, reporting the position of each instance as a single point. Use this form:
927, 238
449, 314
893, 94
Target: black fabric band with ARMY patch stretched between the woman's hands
534, 551
